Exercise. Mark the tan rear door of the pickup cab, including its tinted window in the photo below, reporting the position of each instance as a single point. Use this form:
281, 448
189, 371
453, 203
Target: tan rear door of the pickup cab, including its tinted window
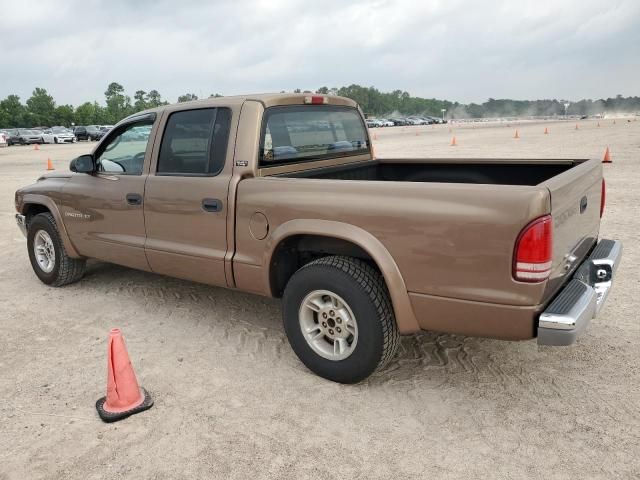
186, 196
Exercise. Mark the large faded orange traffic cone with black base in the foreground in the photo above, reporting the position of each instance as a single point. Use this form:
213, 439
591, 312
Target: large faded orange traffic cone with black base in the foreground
124, 396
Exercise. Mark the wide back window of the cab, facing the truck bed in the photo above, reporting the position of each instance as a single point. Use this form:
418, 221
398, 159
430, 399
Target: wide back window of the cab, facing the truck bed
295, 134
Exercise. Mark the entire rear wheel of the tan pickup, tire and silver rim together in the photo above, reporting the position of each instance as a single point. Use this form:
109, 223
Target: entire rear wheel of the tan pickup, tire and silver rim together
339, 319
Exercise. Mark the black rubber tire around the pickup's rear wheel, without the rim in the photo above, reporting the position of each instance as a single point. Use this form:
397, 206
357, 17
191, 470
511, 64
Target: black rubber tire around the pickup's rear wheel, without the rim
364, 290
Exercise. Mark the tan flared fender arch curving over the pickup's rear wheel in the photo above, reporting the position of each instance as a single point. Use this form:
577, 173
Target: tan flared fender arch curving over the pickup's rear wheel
405, 317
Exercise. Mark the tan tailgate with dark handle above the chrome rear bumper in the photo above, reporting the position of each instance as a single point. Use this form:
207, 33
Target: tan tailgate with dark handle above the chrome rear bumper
575, 207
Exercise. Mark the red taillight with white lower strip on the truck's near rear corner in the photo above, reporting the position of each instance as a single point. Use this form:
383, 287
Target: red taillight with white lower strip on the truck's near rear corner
534, 251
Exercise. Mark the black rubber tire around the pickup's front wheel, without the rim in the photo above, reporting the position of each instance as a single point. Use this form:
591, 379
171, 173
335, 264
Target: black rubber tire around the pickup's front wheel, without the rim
66, 269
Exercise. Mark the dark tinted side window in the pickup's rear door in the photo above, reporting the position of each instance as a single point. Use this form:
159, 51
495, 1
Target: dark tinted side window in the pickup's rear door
195, 142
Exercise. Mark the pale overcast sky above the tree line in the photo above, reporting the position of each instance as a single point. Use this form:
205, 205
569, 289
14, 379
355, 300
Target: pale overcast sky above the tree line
466, 51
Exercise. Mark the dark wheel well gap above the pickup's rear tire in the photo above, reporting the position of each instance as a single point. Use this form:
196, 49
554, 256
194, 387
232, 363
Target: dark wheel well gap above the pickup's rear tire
298, 250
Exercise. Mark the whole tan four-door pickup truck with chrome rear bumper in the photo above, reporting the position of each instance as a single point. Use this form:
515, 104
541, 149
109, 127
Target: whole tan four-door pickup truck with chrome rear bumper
281, 195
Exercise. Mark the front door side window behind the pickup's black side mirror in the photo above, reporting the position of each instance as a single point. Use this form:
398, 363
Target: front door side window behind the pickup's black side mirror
123, 153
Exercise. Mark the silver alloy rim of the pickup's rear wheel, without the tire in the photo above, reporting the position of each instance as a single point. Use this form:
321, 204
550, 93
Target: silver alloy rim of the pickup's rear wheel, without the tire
328, 325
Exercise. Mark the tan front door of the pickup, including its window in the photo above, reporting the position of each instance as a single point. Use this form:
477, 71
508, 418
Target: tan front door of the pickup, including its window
103, 212
